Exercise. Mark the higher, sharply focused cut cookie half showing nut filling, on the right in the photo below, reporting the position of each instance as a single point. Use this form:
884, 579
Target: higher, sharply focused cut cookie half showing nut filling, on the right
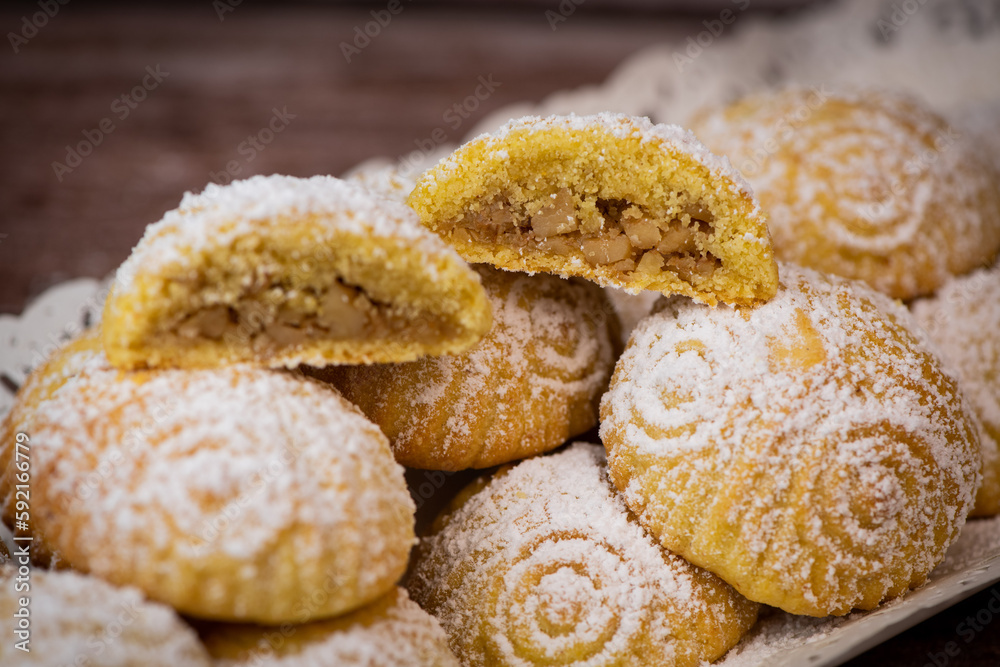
611, 198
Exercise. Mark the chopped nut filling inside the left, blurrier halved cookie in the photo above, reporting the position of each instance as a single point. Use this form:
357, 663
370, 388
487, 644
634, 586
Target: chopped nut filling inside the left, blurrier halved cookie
275, 316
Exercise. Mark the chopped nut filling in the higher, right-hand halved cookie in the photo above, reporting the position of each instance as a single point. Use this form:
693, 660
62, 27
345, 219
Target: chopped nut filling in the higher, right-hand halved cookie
607, 232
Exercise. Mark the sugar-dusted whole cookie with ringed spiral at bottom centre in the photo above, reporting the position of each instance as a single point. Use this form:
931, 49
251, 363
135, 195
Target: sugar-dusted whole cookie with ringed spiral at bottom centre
544, 565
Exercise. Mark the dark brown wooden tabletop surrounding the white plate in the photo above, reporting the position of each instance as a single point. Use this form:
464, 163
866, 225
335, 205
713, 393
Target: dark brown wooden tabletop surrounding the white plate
221, 82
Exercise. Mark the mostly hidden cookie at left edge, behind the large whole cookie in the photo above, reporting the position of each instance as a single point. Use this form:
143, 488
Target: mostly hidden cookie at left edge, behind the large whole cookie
63, 364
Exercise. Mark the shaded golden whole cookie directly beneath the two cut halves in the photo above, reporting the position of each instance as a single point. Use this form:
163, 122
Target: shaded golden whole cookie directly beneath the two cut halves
532, 383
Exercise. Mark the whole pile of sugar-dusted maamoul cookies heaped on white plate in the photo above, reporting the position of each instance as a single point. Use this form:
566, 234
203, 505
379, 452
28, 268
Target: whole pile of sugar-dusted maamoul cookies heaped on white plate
226, 450
